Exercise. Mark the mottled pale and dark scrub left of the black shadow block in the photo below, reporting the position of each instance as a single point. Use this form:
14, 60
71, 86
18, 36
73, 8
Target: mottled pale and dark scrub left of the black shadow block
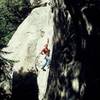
5, 74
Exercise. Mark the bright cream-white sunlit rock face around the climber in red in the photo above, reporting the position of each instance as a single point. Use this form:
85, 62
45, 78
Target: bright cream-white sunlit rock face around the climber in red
28, 40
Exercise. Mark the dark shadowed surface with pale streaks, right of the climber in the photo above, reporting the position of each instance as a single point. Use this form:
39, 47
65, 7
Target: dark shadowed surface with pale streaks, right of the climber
76, 52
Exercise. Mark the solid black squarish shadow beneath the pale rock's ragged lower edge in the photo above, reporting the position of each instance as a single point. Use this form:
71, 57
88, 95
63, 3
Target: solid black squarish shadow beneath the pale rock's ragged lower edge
24, 86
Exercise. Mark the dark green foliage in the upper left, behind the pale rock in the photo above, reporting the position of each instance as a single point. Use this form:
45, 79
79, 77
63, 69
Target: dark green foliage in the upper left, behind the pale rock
12, 13
